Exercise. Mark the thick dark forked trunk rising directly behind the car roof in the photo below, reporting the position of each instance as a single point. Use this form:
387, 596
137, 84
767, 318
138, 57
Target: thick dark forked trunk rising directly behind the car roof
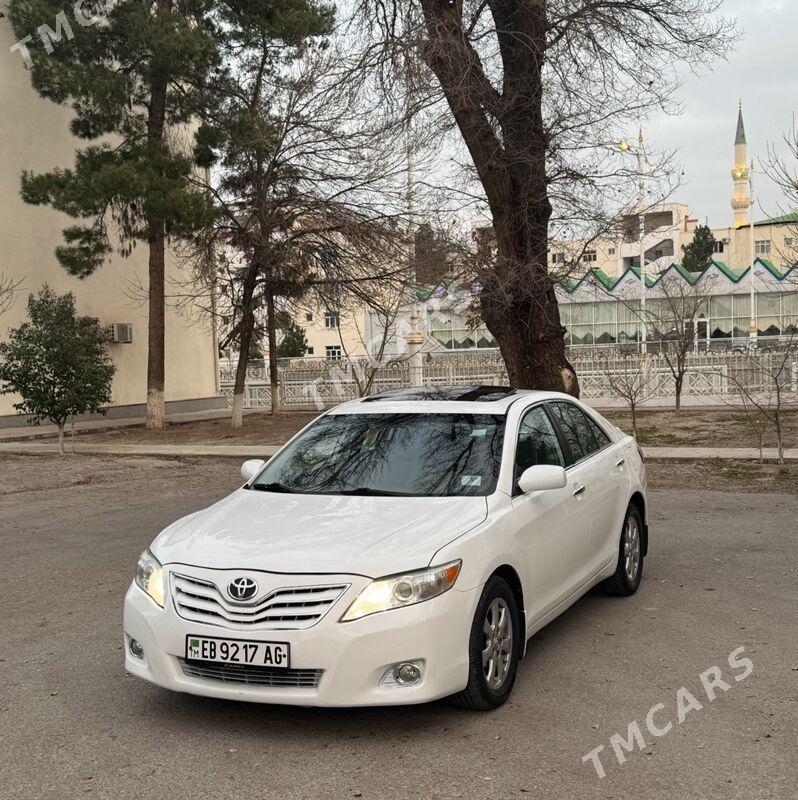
508, 141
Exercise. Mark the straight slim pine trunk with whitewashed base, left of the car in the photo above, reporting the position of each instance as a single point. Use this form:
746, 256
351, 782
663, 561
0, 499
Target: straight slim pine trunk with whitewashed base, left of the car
156, 123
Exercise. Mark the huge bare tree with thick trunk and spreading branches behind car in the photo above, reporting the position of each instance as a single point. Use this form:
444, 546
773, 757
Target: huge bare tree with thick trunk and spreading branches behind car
540, 92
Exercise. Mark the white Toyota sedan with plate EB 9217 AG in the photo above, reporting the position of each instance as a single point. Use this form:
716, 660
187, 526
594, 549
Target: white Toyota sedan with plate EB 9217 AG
399, 549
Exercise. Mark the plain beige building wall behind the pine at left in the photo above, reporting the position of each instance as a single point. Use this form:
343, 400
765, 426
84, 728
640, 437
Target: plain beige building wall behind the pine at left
36, 137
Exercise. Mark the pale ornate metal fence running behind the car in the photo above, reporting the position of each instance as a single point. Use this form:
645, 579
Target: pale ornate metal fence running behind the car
710, 379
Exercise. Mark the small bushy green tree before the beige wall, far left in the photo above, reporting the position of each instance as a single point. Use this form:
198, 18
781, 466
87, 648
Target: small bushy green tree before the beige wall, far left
56, 362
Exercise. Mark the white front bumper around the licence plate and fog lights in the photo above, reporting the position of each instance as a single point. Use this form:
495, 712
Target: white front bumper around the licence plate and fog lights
354, 656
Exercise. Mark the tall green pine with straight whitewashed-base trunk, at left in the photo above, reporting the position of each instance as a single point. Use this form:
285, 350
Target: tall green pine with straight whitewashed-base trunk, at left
136, 75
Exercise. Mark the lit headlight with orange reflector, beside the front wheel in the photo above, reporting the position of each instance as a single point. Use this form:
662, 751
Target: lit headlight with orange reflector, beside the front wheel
398, 591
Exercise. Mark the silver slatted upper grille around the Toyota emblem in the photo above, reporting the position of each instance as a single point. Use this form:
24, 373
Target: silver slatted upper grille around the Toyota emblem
292, 608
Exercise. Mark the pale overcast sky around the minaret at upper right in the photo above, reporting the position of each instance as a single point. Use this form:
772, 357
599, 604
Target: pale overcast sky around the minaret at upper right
762, 71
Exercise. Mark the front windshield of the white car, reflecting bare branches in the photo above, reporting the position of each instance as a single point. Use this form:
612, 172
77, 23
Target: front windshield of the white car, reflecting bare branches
391, 454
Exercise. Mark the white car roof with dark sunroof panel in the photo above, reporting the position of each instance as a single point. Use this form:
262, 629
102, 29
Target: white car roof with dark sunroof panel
444, 400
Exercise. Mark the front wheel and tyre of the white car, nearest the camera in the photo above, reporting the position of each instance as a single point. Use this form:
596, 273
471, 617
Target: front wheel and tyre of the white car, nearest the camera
493, 648
